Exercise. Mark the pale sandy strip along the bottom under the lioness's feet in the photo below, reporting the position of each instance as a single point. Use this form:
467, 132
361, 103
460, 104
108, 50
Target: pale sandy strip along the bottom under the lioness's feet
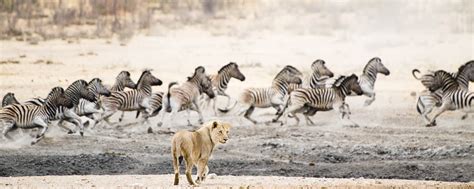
163, 181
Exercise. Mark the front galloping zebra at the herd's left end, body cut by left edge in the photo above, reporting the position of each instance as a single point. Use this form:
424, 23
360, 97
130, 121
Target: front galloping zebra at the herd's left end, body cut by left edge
30, 116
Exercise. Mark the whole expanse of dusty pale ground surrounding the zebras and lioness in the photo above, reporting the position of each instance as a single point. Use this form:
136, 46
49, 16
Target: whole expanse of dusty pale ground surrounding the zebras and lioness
391, 142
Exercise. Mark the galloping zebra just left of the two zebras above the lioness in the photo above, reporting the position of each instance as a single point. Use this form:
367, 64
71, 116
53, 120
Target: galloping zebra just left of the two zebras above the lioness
132, 100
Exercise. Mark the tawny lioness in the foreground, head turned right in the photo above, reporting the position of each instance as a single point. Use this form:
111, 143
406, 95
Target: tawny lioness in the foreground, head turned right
196, 148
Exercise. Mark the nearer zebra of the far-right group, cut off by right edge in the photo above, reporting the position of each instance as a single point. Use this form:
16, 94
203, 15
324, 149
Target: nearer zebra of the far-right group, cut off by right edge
453, 97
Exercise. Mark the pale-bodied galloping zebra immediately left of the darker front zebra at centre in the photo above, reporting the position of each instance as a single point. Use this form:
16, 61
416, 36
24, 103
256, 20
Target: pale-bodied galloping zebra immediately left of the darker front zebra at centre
272, 96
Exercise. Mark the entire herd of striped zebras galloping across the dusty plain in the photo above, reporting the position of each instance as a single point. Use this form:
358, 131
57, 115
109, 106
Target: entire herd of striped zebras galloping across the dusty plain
290, 94
